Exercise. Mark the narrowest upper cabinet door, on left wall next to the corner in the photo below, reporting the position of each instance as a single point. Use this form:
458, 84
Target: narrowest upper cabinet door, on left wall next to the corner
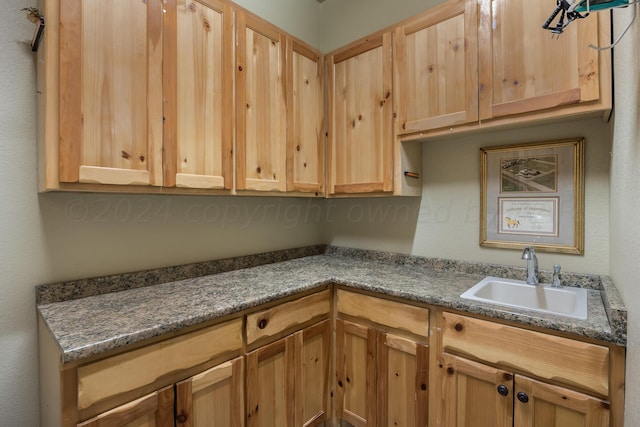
305, 112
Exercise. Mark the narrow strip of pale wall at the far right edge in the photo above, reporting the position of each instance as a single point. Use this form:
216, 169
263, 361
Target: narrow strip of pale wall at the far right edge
625, 198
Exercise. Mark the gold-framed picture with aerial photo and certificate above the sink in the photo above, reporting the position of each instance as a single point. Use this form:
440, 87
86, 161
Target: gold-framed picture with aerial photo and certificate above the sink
533, 195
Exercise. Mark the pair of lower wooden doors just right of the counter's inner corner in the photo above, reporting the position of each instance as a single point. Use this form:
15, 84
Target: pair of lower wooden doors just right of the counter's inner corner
382, 379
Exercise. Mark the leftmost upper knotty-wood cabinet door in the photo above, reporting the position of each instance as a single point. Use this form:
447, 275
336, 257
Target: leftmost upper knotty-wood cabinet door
111, 92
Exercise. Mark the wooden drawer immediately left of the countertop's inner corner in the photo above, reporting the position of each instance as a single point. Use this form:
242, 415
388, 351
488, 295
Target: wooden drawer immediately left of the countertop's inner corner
272, 321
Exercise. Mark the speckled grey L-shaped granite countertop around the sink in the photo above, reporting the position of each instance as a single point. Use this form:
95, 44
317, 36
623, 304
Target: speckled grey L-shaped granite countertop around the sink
93, 324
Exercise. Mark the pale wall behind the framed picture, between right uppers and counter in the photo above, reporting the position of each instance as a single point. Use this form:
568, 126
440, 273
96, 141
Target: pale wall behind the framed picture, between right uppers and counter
447, 222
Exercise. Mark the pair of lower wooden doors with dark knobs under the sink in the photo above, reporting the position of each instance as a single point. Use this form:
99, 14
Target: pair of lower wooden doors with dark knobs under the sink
478, 395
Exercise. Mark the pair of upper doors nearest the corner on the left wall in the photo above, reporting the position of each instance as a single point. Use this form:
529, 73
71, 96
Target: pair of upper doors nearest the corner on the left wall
279, 110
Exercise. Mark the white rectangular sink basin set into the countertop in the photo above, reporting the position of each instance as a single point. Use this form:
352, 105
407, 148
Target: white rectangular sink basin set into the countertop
566, 301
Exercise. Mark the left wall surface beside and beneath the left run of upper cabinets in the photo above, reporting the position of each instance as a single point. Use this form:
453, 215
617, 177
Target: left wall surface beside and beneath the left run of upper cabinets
52, 237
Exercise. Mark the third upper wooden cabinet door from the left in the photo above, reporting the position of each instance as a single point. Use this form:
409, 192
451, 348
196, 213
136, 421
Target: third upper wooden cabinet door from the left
261, 127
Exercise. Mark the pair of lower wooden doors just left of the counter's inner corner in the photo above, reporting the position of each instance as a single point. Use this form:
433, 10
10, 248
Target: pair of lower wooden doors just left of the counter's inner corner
287, 380
